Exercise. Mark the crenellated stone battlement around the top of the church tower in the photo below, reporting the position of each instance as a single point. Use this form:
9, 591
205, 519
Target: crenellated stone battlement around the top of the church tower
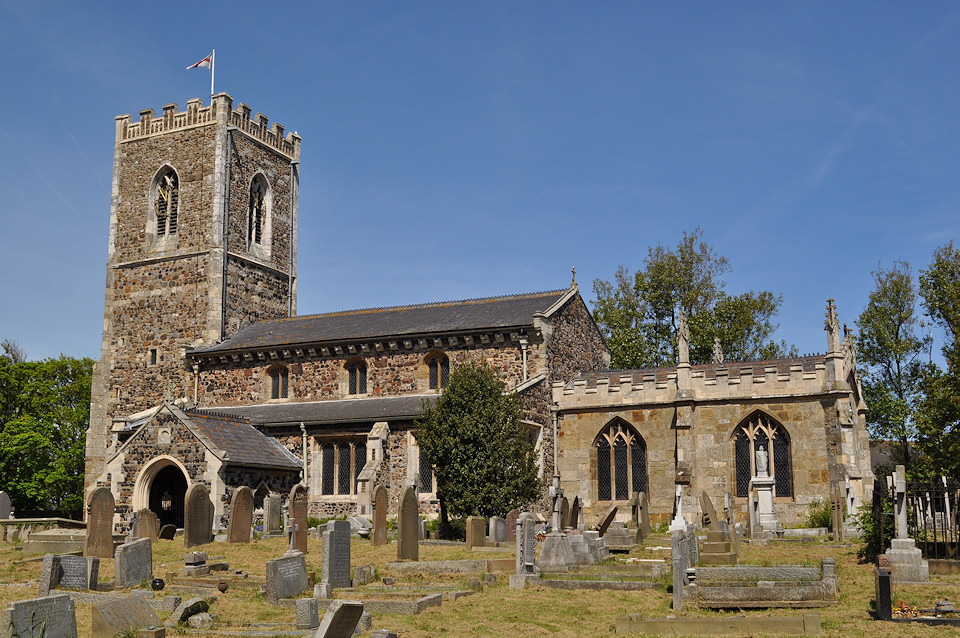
220, 111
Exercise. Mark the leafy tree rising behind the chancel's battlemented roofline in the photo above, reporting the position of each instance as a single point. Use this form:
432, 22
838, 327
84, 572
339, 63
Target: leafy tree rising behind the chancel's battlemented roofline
638, 311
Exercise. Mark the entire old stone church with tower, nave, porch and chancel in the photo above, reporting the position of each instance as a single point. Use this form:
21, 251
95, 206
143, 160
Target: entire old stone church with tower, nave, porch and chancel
207, 373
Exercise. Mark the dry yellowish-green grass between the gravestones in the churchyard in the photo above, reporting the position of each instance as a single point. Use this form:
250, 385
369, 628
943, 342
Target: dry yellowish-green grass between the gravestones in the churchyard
497, 610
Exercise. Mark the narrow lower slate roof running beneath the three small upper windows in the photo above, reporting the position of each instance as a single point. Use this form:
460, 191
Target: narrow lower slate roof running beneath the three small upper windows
319, 412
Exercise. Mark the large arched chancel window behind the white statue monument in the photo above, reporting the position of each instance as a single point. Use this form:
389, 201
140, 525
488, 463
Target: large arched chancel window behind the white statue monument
760, 429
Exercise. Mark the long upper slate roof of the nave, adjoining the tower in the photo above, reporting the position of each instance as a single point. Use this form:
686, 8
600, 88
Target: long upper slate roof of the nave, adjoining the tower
447, 316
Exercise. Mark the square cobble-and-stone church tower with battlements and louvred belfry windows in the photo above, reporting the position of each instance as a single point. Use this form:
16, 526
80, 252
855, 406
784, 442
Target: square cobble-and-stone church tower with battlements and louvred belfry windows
203, 236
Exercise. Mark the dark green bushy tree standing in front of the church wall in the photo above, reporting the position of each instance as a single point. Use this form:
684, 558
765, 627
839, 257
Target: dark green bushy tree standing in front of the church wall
484, 464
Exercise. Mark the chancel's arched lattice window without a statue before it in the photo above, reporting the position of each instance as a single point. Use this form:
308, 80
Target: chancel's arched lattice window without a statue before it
621, 461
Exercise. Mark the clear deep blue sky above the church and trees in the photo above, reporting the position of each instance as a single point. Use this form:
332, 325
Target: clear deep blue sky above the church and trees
455, 150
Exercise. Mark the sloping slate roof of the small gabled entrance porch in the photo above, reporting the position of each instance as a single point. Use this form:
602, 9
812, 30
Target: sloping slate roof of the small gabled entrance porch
243, 443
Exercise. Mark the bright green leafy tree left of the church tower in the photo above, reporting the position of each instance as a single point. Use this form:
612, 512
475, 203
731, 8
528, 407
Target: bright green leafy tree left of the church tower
44, 413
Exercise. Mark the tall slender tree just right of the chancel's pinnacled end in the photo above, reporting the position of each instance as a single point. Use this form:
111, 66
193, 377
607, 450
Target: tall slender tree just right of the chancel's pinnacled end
891, 350
